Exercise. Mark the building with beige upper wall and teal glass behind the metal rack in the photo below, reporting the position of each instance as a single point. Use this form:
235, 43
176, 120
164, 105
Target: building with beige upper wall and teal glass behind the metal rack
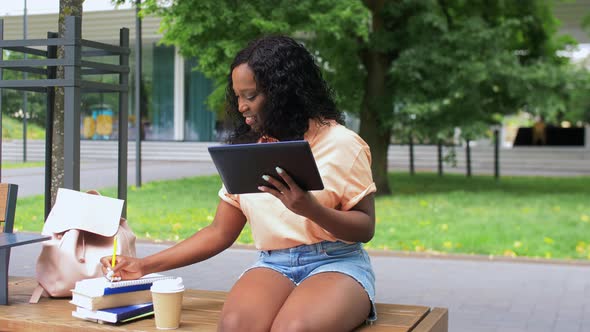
174, 95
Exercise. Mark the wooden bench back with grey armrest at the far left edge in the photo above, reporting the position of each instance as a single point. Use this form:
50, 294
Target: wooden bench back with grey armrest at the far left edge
8, 239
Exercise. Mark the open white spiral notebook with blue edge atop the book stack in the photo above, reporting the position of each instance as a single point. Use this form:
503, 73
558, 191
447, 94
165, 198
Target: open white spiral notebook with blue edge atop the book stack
101, 286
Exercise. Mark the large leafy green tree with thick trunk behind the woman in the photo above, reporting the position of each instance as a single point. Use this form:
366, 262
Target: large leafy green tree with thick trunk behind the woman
443, 62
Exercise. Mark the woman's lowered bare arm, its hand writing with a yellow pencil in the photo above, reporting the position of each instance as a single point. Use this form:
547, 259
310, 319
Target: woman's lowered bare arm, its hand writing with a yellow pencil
206, 243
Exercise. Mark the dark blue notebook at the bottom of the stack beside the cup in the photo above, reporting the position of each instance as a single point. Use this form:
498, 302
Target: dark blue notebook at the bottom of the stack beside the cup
115, 315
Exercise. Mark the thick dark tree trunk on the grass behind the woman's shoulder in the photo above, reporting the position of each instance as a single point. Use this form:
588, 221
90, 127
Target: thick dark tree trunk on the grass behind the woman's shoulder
375, 115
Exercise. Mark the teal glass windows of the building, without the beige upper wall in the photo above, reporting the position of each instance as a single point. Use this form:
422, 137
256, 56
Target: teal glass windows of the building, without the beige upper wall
165, 117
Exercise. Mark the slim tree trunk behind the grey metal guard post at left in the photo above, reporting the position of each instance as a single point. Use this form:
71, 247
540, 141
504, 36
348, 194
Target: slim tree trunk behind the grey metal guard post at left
66, 8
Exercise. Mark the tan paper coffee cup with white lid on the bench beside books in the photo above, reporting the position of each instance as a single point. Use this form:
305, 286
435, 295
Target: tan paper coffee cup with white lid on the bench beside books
167, 298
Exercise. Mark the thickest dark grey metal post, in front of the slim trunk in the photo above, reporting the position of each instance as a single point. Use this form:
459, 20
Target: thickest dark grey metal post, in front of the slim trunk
72, 73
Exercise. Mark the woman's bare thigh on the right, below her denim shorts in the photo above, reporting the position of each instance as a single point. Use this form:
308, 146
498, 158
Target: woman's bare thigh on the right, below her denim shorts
328, 301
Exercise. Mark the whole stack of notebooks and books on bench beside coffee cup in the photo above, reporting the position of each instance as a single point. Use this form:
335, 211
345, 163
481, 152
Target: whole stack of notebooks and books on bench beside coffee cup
102, 301
